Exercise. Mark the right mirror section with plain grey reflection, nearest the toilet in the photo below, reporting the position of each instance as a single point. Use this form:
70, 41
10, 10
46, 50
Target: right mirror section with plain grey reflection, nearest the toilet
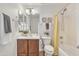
34, 20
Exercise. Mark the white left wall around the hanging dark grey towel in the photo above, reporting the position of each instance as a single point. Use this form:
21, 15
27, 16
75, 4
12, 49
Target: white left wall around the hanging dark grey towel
10, 48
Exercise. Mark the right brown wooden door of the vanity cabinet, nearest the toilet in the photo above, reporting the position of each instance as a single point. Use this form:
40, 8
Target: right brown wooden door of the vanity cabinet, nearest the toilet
34, 47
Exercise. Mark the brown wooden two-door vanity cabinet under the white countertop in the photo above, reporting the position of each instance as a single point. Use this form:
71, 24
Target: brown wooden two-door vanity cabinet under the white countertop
27, 47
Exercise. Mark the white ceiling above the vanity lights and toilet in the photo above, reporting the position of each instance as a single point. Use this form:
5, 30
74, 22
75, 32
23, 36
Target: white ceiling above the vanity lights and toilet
44, 7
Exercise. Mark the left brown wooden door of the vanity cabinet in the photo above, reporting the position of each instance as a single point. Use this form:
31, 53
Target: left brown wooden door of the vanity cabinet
22, 47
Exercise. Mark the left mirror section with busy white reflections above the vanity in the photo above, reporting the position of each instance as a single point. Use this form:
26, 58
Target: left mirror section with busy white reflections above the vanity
22, 23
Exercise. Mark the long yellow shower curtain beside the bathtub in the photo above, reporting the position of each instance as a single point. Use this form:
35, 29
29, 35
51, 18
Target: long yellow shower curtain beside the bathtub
56, 45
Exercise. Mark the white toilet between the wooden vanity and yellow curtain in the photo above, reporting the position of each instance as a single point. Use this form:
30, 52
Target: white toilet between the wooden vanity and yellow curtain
47, 46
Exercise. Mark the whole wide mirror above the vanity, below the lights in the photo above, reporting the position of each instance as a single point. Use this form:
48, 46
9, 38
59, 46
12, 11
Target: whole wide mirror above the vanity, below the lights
28, 23
